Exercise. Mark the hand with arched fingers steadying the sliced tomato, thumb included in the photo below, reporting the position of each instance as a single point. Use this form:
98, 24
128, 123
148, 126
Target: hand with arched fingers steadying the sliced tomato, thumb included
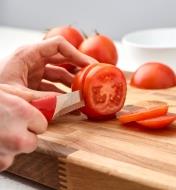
29, 65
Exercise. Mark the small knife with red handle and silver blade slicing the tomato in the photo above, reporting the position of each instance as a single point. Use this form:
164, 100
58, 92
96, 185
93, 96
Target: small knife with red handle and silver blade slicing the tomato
54, 106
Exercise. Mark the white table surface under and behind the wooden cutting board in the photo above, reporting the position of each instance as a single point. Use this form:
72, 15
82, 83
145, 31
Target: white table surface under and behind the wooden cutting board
10, 39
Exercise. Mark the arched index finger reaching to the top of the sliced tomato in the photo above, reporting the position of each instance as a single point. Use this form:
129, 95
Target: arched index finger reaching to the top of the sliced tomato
53, 46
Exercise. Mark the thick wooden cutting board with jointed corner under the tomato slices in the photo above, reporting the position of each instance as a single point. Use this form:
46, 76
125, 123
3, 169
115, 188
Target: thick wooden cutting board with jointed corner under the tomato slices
77, 154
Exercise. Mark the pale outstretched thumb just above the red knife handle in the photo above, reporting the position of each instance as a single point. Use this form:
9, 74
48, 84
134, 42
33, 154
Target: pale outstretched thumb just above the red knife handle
24, 92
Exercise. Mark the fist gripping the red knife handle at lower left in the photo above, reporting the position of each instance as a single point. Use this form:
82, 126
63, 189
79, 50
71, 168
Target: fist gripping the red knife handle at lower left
19, 126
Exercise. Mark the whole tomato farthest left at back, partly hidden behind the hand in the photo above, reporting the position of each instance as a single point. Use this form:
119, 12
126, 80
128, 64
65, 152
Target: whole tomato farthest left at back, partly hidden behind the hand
70, 33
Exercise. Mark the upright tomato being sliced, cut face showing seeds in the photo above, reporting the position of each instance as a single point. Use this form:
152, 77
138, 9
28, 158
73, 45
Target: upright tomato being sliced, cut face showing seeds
103, 88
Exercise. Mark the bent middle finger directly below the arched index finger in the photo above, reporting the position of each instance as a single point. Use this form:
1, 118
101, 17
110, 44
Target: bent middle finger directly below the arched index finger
58, 74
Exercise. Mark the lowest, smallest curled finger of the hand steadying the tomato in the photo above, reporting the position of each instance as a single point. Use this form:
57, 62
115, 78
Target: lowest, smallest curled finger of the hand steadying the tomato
46, 86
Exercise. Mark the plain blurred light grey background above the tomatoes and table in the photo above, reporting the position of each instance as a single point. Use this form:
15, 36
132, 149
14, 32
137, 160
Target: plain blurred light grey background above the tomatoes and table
112, 17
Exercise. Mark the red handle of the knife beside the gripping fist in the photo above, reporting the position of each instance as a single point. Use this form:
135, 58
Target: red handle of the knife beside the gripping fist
46, 105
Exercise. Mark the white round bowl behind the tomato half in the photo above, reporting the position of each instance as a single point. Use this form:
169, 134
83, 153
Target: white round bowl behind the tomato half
150, 45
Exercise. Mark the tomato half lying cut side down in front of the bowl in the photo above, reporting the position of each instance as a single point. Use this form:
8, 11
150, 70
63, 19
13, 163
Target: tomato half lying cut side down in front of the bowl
153, 75
